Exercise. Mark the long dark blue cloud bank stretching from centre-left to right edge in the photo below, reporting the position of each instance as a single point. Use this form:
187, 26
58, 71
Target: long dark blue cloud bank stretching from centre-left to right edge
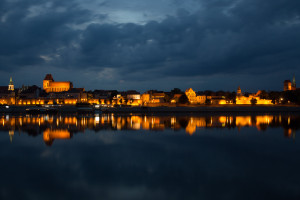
194, 44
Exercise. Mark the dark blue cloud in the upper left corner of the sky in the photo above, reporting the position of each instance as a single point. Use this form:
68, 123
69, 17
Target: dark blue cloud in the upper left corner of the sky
25, 38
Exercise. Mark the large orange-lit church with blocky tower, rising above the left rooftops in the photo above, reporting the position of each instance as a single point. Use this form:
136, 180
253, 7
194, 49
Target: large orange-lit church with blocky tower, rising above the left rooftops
49, 85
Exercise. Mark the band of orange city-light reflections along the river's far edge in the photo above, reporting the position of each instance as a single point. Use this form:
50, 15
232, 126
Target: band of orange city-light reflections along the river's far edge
62, 127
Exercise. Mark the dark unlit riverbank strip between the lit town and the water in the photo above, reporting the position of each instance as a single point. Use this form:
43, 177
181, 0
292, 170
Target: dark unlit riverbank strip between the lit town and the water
162, 109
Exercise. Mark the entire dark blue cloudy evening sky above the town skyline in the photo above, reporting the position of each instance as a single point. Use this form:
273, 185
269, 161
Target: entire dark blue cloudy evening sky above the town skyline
157, 44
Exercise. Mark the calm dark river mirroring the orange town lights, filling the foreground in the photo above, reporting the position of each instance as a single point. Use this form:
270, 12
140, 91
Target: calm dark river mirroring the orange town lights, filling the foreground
150, 157
